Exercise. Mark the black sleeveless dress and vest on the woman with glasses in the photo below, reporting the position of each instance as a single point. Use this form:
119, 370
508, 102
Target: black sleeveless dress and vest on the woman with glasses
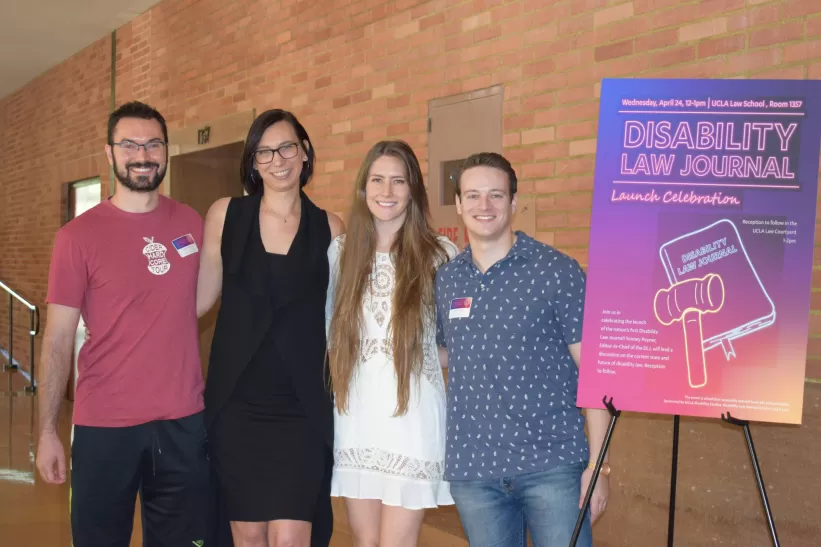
268, 410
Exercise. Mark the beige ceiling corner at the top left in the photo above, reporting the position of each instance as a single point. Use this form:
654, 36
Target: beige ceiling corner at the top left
36, 35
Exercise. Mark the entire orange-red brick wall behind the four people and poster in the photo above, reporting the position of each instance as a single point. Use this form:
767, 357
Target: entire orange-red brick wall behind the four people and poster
356, 71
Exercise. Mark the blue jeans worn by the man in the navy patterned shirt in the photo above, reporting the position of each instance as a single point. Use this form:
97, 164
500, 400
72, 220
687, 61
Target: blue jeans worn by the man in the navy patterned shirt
499, 512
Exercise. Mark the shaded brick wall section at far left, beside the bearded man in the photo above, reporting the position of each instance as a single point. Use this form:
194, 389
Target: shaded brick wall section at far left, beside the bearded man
53, 132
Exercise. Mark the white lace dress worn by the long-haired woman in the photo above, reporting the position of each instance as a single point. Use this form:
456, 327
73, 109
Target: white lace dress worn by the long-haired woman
398, 460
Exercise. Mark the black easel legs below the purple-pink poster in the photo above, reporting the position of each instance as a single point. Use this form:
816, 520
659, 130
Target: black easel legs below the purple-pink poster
614, 414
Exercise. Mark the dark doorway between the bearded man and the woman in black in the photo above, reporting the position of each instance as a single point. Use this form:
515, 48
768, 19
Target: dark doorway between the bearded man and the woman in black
198, 179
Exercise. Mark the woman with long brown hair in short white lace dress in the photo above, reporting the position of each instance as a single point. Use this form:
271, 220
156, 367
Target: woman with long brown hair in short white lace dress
386, 376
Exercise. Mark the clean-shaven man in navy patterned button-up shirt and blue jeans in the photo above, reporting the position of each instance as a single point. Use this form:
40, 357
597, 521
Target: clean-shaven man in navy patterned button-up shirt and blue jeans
509, 313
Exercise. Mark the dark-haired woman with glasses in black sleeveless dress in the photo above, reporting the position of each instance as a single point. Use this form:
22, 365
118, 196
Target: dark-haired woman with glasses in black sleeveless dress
268, 411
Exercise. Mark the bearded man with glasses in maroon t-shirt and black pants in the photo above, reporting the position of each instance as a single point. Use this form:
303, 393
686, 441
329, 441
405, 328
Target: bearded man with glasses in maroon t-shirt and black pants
129, 266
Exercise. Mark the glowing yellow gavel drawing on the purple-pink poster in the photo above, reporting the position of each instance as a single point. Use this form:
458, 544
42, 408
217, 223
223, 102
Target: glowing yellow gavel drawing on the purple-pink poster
687, 301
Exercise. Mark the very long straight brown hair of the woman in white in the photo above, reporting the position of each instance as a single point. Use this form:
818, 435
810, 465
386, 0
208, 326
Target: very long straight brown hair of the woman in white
415, 253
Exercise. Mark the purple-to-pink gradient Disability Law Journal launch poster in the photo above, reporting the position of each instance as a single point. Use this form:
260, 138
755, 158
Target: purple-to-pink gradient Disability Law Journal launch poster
701, 247
